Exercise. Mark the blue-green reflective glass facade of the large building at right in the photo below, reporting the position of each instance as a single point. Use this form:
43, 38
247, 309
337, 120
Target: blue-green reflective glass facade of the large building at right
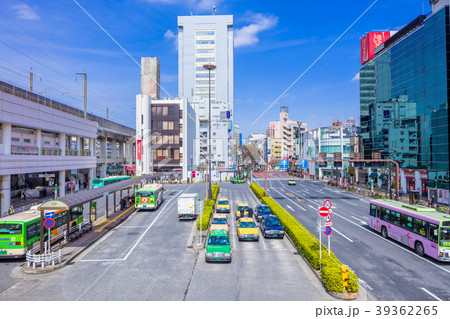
404, 100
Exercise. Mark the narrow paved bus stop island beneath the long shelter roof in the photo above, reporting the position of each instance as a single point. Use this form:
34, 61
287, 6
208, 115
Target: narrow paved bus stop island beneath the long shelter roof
72, 249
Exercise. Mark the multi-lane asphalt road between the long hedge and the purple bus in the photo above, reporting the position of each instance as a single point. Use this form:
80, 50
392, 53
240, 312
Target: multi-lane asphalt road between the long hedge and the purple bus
387, 269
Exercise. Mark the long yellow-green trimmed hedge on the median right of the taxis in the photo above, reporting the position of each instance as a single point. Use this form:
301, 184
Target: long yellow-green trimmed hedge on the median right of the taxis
309, 246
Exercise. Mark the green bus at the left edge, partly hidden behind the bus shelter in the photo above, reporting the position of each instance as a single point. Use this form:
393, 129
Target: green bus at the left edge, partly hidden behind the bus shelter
20, 232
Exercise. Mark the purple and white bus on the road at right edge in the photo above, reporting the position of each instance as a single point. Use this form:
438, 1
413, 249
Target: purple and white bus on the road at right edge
421, 228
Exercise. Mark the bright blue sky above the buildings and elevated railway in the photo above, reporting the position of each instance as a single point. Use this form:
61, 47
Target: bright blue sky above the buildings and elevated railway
275, 42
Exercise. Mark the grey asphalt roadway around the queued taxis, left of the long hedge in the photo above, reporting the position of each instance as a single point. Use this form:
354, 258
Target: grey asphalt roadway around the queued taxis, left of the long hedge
148, 257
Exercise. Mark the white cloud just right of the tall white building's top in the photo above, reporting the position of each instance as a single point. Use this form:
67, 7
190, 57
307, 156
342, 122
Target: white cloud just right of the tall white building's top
248, 35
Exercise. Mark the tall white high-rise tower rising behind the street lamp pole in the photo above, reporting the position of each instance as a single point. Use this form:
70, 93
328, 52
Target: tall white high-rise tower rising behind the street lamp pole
202, 40
